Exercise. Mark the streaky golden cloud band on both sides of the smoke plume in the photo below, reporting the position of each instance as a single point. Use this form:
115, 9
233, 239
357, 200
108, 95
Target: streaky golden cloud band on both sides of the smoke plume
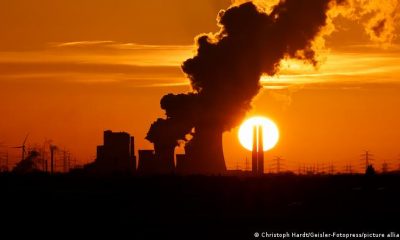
158, 65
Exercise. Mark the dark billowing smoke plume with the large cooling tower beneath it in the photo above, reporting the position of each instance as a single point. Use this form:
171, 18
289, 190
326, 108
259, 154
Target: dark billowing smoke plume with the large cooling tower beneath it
225, 72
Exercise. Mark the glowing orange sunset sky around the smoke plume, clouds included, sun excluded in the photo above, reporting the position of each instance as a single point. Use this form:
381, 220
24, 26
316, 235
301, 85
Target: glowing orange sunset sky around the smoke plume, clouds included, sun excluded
70, 69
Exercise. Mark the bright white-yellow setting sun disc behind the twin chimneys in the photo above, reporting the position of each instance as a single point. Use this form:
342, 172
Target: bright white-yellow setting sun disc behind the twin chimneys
270, 132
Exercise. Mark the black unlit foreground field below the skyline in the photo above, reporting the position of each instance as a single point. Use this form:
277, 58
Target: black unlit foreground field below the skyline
173, 207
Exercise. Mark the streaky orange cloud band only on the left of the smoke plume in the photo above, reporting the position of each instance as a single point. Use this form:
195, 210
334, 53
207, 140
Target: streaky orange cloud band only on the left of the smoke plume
98, 62
